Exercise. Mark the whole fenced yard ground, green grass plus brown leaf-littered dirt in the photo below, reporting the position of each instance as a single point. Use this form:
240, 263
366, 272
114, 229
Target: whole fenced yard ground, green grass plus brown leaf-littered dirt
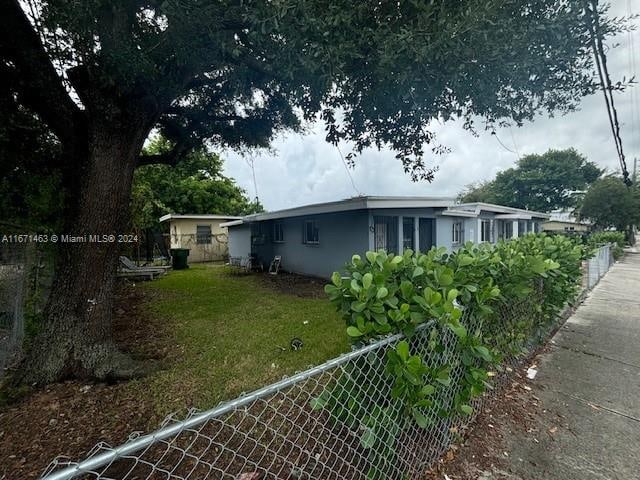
215, 336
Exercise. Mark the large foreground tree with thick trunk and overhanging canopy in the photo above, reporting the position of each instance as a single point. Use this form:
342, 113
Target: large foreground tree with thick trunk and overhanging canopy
103, 74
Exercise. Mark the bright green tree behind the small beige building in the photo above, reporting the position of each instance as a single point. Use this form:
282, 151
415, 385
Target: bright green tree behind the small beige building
195, 185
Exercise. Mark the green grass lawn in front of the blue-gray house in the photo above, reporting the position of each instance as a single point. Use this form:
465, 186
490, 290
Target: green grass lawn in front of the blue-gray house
231, 332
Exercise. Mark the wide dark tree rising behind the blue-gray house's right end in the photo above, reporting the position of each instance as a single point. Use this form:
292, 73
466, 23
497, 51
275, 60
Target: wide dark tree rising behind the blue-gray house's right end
551, 181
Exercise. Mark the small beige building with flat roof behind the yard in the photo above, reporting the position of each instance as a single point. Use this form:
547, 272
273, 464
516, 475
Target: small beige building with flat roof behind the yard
203, 235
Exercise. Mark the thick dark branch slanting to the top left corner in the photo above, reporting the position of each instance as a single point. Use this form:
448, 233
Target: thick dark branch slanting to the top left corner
36, 79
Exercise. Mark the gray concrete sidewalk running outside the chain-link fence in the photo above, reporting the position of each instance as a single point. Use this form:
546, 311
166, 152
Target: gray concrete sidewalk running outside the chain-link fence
589, 386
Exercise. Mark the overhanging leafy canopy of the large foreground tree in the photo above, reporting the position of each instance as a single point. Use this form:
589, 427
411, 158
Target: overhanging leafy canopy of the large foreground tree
235, 73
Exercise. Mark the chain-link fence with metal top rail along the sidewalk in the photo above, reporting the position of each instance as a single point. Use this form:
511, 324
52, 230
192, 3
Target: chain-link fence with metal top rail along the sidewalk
339, 420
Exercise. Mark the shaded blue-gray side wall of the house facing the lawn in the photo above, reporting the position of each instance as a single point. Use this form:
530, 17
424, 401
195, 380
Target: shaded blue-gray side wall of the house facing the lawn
340, 236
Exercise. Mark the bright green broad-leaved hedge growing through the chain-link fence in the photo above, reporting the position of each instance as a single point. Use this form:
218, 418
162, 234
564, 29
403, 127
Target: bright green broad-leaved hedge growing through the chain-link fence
458, 298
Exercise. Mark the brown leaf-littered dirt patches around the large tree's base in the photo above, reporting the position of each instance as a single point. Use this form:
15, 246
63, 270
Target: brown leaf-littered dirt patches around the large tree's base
71, 417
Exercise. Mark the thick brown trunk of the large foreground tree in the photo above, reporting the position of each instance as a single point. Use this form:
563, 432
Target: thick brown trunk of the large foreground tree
76, 338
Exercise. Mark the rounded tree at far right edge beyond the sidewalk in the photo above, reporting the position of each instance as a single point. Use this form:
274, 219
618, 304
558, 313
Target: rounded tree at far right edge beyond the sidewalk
609, 203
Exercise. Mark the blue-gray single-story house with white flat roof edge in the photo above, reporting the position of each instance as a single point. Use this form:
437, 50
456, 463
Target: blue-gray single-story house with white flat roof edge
319, 239
